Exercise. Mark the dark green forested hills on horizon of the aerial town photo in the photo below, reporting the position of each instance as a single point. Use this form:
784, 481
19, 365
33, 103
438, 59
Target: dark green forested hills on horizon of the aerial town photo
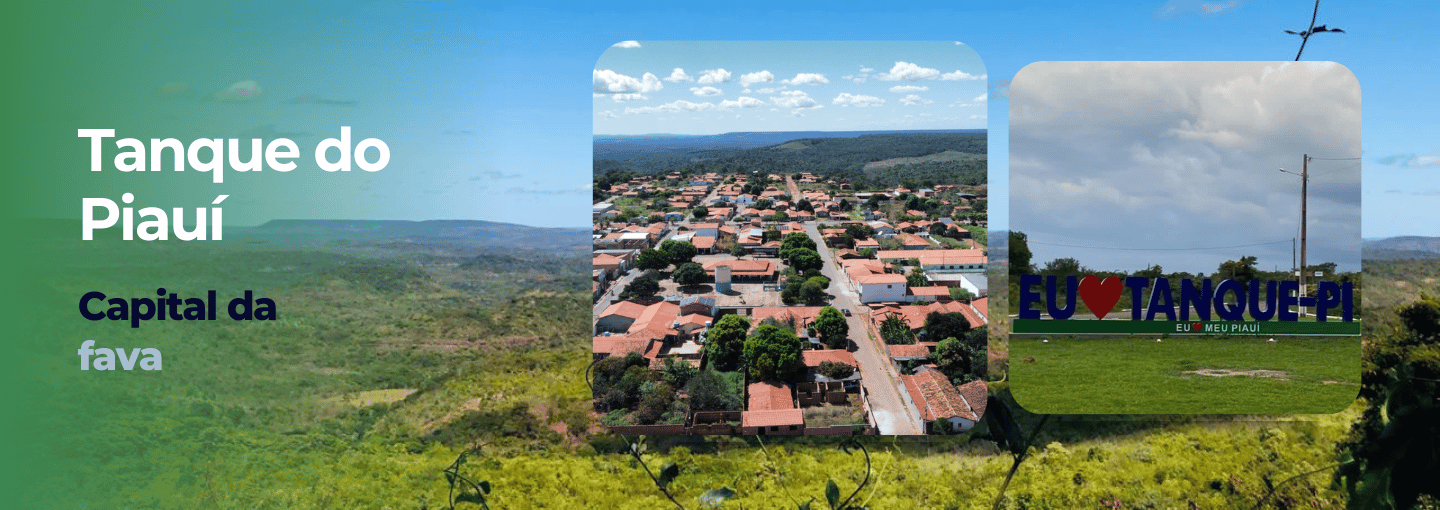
872, 161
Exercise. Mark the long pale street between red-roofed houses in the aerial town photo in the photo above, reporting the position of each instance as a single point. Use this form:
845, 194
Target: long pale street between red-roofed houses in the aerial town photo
894, 416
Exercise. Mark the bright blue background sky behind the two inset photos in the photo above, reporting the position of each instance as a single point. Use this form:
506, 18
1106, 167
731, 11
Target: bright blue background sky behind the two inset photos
489, 109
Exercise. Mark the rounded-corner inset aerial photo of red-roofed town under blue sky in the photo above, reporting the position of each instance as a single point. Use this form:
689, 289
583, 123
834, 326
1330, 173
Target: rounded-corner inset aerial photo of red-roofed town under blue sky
810, 259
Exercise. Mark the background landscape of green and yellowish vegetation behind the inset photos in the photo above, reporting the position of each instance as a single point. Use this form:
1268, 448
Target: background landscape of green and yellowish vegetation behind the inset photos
382, 372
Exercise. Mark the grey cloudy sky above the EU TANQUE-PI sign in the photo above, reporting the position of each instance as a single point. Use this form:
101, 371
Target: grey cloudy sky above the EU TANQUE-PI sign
1124, 165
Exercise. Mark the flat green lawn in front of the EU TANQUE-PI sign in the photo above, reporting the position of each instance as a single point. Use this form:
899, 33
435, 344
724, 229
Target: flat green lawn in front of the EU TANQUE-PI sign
1184, 375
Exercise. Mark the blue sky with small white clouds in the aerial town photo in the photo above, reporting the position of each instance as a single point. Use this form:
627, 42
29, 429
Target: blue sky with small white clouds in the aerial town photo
725, 87
